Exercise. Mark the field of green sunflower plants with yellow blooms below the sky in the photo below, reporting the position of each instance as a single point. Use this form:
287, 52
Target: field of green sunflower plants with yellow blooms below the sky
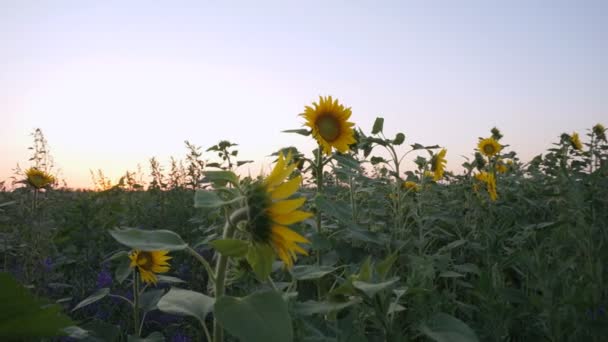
348, 242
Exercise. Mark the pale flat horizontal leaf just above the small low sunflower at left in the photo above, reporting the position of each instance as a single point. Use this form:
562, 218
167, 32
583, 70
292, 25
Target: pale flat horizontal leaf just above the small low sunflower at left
149, 240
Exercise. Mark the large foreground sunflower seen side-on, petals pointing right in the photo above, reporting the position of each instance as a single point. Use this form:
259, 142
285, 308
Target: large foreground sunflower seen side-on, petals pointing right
271, 212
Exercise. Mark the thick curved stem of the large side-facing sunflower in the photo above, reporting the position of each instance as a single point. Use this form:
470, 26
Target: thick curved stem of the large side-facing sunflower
222, 265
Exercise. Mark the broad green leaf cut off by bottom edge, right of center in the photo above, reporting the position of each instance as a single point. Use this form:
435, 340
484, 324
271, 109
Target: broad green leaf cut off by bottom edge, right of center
442, 327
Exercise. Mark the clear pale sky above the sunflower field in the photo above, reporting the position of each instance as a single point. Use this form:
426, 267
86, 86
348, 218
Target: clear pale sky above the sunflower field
113, 83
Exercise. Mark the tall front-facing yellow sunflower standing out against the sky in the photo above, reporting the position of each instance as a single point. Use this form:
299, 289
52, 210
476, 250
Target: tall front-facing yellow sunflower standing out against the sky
328, 121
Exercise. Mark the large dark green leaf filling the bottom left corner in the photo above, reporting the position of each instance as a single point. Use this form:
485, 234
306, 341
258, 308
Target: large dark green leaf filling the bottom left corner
24, 316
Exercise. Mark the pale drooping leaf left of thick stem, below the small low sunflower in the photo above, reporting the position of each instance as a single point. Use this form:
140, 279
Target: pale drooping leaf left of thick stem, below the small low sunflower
186, 303
